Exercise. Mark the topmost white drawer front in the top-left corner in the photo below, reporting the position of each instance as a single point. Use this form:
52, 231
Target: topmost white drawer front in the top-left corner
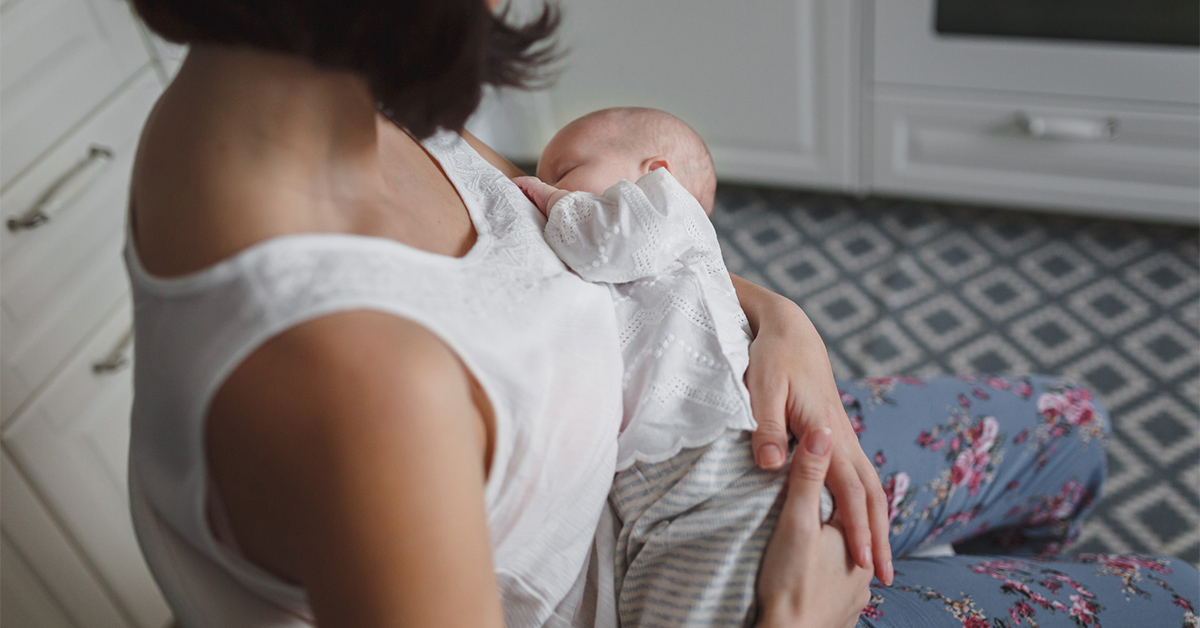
59, 59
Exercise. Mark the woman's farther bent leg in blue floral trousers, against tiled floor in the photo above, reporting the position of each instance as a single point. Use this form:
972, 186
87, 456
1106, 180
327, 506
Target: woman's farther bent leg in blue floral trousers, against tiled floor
1021, 459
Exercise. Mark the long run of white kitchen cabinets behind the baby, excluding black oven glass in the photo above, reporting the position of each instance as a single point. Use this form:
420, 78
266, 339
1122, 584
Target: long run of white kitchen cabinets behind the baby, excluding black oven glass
866, 97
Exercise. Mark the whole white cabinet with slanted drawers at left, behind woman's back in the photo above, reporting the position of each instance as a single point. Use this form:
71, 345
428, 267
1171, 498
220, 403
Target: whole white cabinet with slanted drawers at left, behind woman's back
79, 81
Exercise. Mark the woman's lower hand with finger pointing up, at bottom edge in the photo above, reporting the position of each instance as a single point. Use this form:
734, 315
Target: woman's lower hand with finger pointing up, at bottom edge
807, 577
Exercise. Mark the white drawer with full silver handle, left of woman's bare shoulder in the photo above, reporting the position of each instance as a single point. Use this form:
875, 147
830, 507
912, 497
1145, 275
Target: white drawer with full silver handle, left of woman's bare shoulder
58, 278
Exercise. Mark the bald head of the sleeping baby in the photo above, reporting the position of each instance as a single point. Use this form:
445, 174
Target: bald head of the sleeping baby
596, 152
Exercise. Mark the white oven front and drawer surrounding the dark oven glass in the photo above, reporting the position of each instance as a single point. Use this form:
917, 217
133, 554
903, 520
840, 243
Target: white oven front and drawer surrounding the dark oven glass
1070, 125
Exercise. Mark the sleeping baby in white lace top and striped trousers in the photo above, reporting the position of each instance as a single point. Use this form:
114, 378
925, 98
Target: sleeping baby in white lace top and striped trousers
694, 511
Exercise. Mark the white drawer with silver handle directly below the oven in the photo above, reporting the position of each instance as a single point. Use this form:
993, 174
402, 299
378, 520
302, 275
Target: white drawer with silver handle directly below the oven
1083, 157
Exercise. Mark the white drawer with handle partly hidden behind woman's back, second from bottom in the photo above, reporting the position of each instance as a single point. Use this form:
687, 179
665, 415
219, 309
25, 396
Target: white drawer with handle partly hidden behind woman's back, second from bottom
73, 442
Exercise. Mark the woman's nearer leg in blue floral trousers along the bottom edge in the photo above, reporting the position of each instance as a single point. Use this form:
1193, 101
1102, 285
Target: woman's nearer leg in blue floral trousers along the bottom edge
994, 593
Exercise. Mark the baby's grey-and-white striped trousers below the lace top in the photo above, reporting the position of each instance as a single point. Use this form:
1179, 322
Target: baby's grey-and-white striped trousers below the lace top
693, 531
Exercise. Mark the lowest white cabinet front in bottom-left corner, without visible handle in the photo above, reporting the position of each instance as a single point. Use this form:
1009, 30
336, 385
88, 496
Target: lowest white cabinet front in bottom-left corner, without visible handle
52, 564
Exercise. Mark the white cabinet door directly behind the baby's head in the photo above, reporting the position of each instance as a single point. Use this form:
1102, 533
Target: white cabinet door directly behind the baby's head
772, 86
